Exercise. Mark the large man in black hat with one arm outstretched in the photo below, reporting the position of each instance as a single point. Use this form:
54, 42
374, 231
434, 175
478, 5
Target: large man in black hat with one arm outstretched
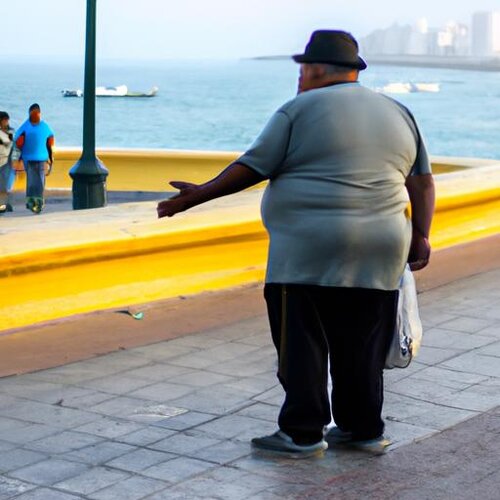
343, 162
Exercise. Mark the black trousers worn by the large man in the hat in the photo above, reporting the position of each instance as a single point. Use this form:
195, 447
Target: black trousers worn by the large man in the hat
352, 326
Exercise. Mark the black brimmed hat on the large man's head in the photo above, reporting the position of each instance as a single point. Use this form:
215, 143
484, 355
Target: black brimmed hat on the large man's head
332, 47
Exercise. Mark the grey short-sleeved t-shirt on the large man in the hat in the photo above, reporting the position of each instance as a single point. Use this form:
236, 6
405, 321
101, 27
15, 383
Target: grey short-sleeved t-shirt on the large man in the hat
336, 204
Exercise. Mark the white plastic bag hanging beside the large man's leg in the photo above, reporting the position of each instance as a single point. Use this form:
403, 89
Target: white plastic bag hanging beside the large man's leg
407, 335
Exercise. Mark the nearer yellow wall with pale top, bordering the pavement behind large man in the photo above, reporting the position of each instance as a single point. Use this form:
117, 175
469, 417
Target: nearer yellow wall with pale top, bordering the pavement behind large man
122, 255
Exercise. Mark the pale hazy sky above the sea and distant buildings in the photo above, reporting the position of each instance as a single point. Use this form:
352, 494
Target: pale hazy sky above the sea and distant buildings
206, 29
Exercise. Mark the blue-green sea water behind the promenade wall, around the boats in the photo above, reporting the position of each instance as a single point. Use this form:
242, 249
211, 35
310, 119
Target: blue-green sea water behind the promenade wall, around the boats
223, 105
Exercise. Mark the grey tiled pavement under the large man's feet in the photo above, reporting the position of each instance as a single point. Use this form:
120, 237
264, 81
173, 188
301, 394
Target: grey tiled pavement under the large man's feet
173, 420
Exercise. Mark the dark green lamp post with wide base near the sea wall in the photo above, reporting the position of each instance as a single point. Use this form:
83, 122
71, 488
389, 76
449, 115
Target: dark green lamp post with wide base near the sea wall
88, 173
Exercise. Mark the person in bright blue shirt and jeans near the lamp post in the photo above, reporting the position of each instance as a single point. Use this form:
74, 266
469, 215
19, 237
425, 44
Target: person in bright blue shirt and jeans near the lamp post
35, 139
